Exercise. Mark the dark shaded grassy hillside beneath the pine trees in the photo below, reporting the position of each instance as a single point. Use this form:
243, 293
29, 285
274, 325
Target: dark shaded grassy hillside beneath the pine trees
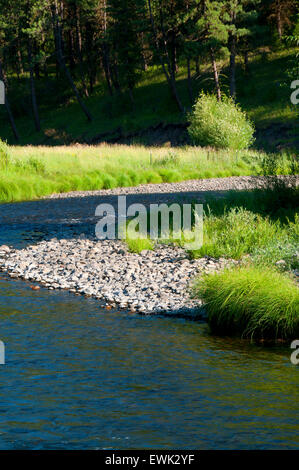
263, 94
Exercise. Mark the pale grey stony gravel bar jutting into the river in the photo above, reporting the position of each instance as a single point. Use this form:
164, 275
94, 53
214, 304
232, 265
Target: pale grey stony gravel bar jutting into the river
151, 282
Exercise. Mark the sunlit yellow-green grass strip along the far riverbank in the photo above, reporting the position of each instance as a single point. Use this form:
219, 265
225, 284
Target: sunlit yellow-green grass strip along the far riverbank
31, 172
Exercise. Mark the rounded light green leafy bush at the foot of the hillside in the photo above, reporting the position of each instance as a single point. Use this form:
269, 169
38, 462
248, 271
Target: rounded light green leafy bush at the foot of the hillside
220, 124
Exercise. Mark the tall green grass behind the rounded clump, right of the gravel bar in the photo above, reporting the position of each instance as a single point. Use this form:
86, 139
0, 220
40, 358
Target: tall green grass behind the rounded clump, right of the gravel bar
239, 232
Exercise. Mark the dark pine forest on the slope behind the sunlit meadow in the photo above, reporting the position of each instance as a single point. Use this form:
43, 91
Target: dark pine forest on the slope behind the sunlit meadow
97, 54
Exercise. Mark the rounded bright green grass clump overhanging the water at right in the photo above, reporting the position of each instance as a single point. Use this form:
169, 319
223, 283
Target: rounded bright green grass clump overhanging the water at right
251, 302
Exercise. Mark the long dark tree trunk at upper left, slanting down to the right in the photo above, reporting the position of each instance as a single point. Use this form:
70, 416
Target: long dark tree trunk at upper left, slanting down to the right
60, 58
